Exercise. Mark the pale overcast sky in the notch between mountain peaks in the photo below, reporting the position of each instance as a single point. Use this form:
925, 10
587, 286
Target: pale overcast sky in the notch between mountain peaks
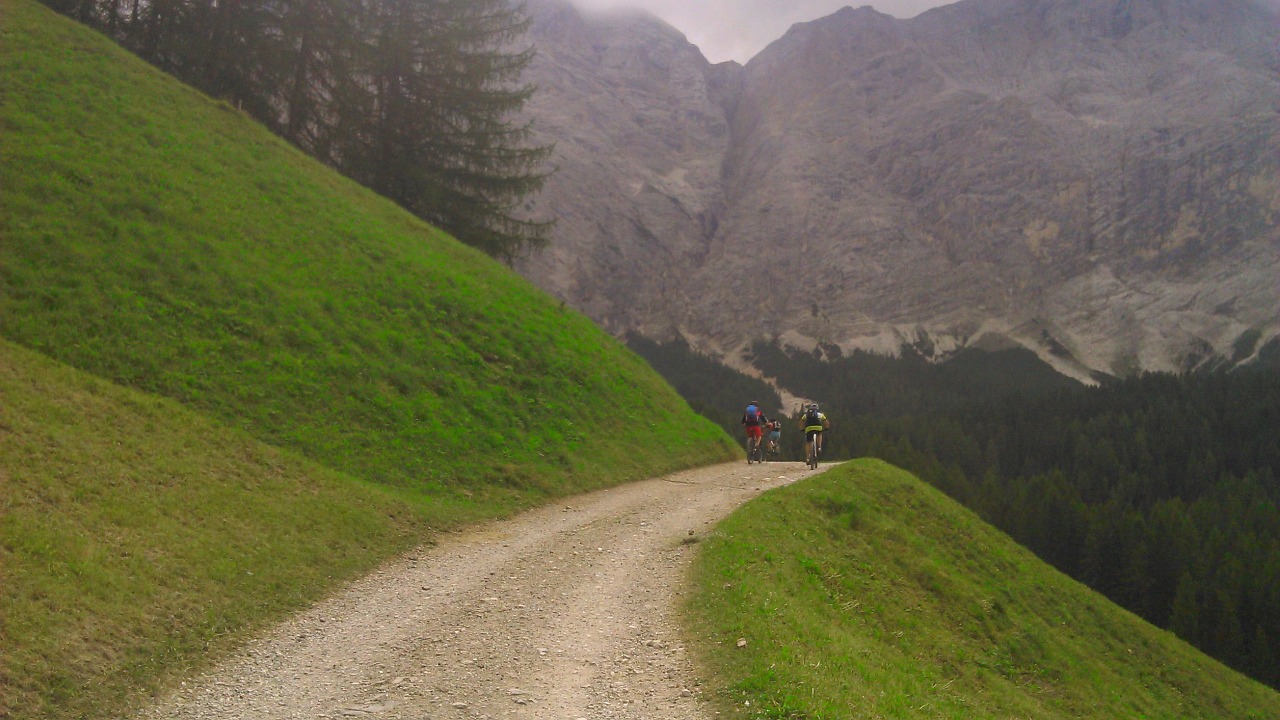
737, 30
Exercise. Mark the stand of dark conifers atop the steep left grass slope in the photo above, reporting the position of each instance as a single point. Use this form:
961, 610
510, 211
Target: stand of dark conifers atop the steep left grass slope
418, 101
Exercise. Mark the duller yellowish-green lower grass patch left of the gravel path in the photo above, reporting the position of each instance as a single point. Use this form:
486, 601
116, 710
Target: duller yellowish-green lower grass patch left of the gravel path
136, 536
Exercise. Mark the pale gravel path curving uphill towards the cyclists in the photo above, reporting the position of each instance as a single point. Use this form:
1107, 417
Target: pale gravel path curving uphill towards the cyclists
564, 613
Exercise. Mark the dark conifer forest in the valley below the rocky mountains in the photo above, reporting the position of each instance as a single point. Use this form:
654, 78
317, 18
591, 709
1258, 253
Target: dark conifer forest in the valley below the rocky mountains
1159, 491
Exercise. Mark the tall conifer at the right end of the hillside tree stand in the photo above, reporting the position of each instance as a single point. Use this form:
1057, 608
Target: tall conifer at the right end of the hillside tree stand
431, 119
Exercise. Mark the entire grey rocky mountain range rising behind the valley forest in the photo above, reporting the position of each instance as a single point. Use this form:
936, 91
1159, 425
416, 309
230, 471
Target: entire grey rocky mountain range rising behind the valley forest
1095, 180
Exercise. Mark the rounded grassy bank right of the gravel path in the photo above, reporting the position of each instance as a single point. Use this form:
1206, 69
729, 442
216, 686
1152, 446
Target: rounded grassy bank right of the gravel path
866, 594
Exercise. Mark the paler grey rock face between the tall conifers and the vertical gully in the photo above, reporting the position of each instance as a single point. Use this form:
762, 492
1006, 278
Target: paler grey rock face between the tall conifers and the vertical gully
638, 119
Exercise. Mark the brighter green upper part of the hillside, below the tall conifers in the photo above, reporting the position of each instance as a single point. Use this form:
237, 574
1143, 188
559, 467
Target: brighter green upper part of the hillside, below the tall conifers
164, 241
